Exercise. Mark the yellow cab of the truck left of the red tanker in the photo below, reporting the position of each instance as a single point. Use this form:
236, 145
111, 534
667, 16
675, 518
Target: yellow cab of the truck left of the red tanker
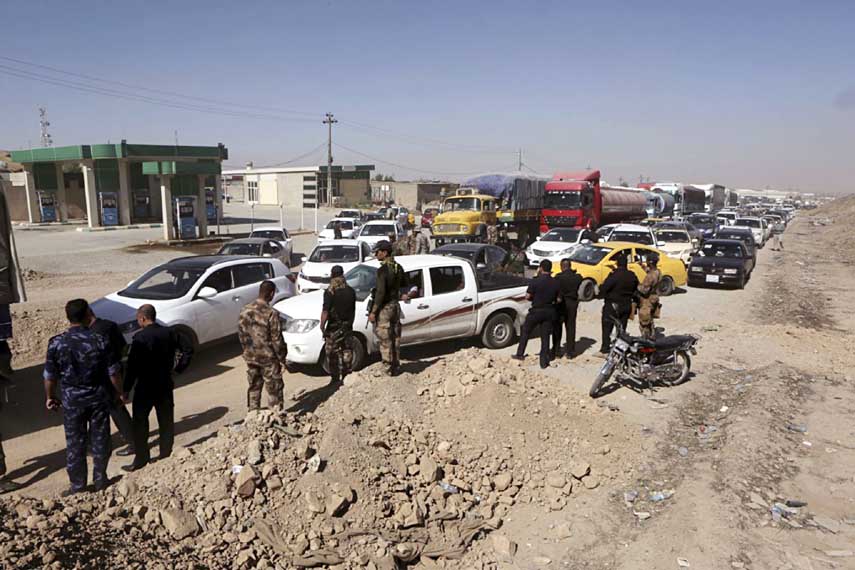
464, 217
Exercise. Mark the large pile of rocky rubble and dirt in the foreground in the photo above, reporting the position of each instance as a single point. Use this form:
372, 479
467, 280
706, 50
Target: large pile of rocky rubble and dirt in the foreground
387, 472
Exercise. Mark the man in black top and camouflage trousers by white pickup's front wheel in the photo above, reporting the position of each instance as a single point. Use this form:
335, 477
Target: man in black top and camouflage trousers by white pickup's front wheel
337, 324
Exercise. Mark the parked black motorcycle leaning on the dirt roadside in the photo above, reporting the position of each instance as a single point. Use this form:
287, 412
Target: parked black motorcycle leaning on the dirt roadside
665, 360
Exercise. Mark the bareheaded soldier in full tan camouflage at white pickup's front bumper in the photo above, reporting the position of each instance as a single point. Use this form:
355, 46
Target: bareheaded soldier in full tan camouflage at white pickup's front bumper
264, 350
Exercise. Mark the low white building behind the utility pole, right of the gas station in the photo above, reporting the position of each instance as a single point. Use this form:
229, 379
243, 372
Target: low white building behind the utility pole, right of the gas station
300, 186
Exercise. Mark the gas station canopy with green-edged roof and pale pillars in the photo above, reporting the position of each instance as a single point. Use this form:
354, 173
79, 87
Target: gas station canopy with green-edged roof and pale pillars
143, 179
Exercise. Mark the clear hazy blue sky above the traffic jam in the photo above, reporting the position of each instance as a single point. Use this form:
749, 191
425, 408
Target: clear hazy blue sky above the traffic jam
748, 94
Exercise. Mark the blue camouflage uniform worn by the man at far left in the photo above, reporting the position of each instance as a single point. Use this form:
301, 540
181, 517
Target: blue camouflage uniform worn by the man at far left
82, 363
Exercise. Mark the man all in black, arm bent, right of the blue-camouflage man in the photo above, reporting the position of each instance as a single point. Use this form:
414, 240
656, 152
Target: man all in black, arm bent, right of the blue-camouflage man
151, 362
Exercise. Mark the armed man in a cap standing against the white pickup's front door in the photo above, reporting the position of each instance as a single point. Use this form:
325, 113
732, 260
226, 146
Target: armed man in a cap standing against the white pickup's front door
385, 311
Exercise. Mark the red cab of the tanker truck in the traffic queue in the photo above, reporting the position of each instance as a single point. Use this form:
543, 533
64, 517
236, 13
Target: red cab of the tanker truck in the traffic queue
571, 200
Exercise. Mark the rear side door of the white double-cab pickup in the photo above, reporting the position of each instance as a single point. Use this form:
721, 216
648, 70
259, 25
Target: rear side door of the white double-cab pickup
453, 294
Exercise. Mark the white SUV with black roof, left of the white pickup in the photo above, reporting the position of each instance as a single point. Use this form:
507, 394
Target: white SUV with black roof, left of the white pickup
200, 296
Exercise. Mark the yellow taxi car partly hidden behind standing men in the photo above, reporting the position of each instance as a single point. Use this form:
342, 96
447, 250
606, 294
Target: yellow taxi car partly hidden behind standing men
595, 261
